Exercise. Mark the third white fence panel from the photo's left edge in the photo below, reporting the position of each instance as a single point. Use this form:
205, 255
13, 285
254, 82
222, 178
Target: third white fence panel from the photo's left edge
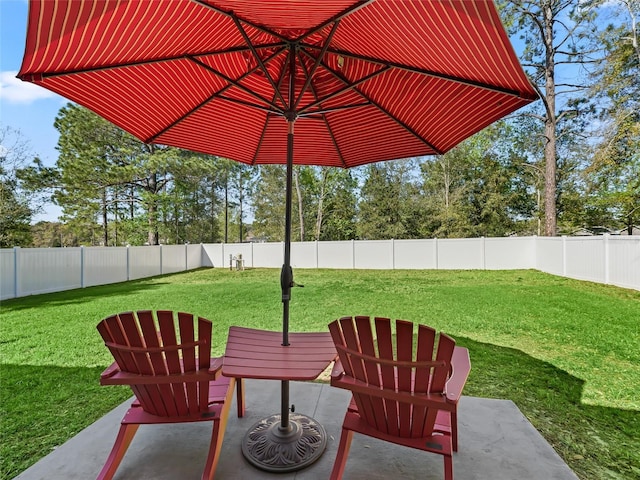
103, 265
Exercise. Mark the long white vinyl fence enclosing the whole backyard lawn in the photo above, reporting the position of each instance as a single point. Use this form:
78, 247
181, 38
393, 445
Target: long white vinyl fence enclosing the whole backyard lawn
604, 259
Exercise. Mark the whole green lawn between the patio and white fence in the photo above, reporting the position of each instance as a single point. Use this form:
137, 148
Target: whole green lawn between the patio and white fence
566, 352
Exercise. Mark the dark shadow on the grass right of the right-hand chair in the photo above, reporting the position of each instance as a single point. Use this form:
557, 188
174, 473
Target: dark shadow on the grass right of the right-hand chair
596, 442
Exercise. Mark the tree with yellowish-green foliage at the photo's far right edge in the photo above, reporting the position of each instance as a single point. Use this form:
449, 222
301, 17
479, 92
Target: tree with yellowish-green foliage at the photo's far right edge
613, 177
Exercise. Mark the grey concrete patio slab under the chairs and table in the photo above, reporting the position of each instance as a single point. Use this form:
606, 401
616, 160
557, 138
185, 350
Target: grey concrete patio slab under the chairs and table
496, 442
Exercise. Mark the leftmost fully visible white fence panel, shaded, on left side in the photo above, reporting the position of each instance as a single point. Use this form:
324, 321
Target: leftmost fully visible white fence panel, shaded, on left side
44, 270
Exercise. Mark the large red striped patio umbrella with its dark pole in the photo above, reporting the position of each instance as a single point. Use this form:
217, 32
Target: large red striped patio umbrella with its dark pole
362, 81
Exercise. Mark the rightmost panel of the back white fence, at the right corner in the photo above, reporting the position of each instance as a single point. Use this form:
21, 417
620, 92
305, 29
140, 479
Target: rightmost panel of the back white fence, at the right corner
509, 253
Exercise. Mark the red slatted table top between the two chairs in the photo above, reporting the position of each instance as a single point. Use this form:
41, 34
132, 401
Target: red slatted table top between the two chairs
252, 353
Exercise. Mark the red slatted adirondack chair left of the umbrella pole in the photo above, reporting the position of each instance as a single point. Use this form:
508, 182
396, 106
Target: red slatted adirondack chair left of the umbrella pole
171, 373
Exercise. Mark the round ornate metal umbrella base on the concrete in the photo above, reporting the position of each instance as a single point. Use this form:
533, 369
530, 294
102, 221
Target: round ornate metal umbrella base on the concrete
268, 447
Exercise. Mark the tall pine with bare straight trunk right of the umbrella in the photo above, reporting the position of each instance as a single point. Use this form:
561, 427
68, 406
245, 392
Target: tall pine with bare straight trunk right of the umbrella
555, 34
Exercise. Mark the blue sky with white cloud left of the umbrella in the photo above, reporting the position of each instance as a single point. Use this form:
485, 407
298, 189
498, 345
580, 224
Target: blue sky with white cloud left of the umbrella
25, 107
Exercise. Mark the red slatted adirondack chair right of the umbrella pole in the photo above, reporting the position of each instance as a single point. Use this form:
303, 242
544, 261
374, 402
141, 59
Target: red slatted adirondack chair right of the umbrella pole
398, 397
